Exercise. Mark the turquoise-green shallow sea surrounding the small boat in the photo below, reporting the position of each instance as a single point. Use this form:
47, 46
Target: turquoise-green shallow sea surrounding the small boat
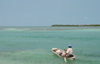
32, 45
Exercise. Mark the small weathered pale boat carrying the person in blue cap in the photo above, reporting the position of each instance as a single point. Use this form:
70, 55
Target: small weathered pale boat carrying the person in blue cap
62, 53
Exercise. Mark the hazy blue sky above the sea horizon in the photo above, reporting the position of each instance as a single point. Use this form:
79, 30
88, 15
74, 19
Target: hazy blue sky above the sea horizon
49, 12
